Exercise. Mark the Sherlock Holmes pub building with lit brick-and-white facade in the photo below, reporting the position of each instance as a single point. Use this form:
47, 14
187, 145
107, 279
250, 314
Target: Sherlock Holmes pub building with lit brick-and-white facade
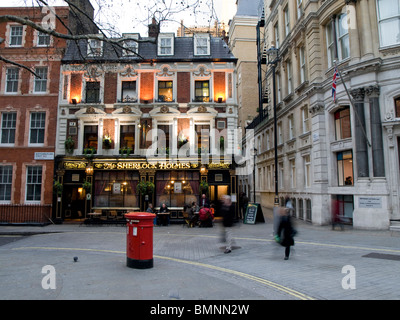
152, 122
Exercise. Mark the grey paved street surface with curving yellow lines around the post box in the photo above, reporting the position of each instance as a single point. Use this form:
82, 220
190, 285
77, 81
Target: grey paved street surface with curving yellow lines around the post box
189, 264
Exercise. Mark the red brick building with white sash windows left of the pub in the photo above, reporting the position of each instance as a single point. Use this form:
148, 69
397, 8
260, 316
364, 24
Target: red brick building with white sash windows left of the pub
28, 112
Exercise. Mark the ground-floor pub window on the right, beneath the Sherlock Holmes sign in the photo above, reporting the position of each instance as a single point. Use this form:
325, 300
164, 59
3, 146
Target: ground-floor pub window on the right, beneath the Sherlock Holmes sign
177, 188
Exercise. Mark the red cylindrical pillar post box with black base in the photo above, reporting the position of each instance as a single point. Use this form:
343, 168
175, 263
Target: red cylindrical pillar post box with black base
139, 240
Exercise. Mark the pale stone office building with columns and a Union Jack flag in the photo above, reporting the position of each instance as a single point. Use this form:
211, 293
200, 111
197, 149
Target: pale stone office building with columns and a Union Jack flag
334, 155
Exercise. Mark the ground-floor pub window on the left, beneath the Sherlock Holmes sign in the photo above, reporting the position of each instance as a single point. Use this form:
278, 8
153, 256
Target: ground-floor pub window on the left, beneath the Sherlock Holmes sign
116, 189
